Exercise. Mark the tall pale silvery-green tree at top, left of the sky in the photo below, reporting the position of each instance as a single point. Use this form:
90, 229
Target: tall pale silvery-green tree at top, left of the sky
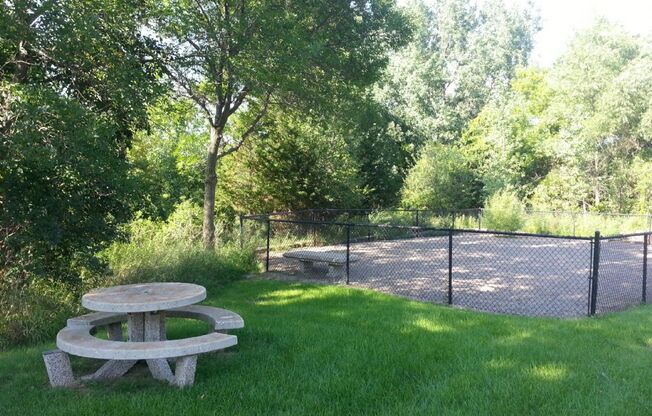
462, 55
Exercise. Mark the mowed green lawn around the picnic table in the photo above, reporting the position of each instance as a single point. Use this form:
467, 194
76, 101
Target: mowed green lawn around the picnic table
310, 349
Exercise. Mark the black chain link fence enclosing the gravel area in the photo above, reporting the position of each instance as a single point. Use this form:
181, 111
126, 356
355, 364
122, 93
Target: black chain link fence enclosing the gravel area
504, 272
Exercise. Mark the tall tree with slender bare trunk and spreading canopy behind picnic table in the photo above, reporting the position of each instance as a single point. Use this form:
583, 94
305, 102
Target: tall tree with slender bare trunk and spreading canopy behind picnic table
242, 55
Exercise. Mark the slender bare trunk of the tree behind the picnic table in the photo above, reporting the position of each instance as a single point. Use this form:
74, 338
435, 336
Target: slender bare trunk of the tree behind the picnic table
210, 186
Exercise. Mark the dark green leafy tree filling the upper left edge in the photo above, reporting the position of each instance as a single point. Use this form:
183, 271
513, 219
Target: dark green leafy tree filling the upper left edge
74, 81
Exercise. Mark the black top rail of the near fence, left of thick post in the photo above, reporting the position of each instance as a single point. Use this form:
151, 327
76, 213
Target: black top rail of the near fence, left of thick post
415, 228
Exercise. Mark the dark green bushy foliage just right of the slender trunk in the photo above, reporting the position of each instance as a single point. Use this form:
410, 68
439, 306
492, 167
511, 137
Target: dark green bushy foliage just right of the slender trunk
295, 161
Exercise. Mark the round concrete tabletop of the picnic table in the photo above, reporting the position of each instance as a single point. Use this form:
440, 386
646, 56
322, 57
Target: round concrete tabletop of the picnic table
143, 297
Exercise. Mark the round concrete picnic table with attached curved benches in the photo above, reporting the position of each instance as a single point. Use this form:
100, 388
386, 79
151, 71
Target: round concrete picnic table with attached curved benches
144, 307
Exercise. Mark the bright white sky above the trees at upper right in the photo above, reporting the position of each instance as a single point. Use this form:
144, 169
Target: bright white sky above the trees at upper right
561, 19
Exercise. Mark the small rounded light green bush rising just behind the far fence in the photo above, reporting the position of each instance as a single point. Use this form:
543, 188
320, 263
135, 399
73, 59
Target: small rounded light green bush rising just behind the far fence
503, 212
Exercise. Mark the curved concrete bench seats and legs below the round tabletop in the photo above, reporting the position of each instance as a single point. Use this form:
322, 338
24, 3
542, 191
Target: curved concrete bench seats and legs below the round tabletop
77, 339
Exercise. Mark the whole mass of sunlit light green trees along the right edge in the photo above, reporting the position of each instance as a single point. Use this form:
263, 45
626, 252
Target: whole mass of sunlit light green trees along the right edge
575, 137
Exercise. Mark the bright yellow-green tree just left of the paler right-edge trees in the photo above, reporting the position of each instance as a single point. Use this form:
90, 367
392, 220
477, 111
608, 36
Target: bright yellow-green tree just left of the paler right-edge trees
508, 141
